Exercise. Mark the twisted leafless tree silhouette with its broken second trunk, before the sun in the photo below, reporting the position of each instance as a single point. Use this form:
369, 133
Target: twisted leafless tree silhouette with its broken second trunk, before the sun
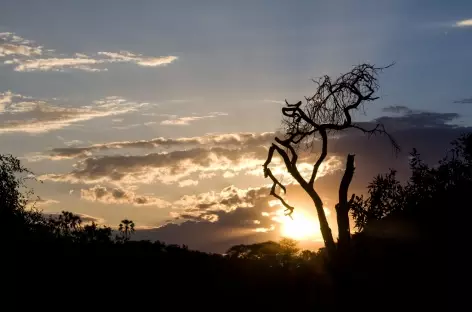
327, 111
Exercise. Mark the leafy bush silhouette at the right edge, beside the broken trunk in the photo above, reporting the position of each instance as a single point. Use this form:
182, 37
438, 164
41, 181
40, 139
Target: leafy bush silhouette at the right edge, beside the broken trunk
422, 201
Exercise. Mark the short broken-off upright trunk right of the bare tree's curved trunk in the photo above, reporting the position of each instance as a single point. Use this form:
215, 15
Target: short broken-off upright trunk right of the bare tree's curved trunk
342, 208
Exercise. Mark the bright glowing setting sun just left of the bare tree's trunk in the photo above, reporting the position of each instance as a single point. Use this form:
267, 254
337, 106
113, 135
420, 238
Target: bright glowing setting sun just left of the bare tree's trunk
300, 227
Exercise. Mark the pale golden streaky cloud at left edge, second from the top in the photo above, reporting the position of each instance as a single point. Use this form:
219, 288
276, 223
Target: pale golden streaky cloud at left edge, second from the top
20, 113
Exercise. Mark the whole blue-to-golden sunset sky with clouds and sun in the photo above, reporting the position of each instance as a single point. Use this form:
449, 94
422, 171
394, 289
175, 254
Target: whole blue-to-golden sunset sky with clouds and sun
163, 111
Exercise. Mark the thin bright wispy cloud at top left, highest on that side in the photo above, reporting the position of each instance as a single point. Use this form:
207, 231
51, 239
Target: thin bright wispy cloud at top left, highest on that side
27, 56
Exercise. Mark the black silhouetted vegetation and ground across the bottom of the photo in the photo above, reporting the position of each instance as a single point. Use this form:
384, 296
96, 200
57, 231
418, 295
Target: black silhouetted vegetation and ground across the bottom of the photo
396, 259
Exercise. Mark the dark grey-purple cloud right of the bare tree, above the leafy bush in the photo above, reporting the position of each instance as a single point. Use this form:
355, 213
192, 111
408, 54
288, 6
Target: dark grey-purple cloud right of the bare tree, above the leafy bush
429, 132
